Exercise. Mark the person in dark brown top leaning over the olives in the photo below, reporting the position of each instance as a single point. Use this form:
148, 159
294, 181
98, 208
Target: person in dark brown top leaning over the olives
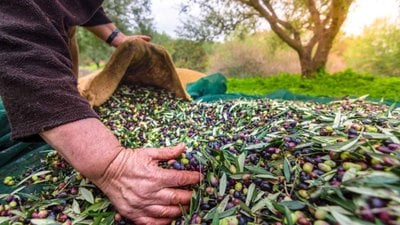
39, 91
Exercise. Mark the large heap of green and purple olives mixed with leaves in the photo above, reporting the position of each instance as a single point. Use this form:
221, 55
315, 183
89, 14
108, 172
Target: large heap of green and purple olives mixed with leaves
265, 162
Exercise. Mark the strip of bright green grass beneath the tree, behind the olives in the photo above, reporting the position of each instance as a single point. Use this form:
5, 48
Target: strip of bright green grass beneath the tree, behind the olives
338, 85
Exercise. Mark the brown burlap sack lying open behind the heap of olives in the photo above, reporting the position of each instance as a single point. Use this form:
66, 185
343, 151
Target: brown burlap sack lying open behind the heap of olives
136, 62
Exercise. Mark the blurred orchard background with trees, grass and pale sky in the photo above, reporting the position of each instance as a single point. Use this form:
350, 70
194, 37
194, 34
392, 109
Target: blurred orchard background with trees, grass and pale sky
331, 48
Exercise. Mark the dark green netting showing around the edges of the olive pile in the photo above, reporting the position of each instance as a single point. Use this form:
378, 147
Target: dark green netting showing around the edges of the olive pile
16, 157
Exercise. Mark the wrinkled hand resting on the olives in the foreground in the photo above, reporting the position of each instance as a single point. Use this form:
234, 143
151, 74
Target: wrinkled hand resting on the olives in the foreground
144, 192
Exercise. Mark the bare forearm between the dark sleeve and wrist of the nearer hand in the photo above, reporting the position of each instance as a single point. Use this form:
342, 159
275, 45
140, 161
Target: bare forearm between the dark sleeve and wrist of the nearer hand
86, 144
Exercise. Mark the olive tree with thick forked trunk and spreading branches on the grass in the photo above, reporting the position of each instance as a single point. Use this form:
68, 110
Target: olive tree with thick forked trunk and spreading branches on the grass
307, 26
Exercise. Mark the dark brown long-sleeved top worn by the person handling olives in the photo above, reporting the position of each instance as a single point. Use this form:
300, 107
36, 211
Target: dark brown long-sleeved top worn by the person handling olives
37, 84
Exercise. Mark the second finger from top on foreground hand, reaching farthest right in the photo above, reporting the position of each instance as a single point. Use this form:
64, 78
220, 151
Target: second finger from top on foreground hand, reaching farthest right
175, 178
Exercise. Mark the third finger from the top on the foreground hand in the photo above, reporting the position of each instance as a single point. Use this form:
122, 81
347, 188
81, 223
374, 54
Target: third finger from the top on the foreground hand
169, 196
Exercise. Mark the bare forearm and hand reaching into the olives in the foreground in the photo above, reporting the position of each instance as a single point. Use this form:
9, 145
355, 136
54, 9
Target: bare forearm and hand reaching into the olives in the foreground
137, 187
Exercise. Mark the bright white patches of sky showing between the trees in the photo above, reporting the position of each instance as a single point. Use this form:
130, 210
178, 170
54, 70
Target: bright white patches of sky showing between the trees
363, 12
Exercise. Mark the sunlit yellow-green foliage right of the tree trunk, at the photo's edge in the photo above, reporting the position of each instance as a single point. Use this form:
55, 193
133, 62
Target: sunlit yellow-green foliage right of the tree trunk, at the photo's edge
377, 50
